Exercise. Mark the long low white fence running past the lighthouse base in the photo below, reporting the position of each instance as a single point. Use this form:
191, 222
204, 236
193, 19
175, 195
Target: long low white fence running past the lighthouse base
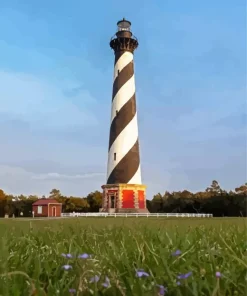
157, 215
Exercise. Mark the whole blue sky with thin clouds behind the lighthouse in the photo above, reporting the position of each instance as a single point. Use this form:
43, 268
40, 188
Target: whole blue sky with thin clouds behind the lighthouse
56, 71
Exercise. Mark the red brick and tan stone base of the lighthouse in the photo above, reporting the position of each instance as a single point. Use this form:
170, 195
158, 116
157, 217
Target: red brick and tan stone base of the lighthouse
124, 198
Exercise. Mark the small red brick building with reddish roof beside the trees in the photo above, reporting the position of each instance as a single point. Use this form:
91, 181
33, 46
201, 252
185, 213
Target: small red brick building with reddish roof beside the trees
47, 207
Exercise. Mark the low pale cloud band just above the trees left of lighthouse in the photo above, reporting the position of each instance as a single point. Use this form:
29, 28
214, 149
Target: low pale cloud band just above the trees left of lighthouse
16, 180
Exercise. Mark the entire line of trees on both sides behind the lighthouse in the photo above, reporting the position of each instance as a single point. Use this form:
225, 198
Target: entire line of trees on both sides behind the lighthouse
214, 200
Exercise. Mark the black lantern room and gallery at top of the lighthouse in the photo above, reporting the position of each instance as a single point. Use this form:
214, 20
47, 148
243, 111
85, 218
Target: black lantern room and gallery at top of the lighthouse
123, 40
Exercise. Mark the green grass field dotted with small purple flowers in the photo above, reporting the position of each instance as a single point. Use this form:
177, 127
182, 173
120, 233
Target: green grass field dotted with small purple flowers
34, 256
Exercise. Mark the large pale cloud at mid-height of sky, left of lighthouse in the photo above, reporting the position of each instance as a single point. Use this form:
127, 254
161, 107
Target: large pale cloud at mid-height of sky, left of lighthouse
41, 103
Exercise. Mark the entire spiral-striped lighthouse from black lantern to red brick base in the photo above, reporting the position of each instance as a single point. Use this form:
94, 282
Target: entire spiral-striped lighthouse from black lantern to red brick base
124, 191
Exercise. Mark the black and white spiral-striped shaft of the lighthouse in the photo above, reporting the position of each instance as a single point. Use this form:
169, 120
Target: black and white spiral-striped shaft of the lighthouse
123, 154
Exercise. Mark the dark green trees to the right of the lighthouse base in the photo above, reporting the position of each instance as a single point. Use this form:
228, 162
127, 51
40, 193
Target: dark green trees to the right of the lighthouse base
214, 200
